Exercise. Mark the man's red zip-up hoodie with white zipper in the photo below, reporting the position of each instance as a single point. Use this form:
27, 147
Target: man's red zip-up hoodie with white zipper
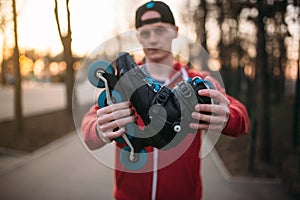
172, 174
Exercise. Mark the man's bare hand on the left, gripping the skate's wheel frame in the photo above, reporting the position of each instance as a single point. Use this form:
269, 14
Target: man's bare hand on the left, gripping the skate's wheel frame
112, 119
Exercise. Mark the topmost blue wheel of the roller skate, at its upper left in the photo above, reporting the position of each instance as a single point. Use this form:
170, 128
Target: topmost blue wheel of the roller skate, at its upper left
97, 68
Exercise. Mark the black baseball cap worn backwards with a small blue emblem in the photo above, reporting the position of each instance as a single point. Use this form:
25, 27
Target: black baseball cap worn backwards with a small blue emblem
162, 8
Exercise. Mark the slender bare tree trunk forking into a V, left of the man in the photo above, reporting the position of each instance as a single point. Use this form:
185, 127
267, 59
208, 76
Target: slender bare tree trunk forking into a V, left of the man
66, 41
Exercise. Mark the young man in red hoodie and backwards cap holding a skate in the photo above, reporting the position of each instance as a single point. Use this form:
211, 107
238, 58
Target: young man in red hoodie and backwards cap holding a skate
181, 178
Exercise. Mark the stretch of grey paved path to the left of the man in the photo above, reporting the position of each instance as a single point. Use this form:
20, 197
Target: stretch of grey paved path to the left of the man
64, 170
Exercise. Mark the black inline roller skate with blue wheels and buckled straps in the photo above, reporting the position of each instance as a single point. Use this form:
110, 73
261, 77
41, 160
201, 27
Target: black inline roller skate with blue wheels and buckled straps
165, 112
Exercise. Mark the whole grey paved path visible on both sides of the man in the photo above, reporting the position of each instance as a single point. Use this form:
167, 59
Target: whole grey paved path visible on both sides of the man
65, 170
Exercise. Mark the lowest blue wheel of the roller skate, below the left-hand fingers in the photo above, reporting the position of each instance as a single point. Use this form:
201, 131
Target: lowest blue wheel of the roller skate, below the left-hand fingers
139, 161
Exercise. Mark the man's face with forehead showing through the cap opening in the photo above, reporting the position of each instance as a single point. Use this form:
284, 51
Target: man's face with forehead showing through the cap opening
156, 38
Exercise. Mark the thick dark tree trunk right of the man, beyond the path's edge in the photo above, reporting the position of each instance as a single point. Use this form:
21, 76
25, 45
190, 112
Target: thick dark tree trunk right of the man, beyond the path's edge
263, 75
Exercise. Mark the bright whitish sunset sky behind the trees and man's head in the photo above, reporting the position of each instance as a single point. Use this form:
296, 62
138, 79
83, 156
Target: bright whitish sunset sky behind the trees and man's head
92, 22
